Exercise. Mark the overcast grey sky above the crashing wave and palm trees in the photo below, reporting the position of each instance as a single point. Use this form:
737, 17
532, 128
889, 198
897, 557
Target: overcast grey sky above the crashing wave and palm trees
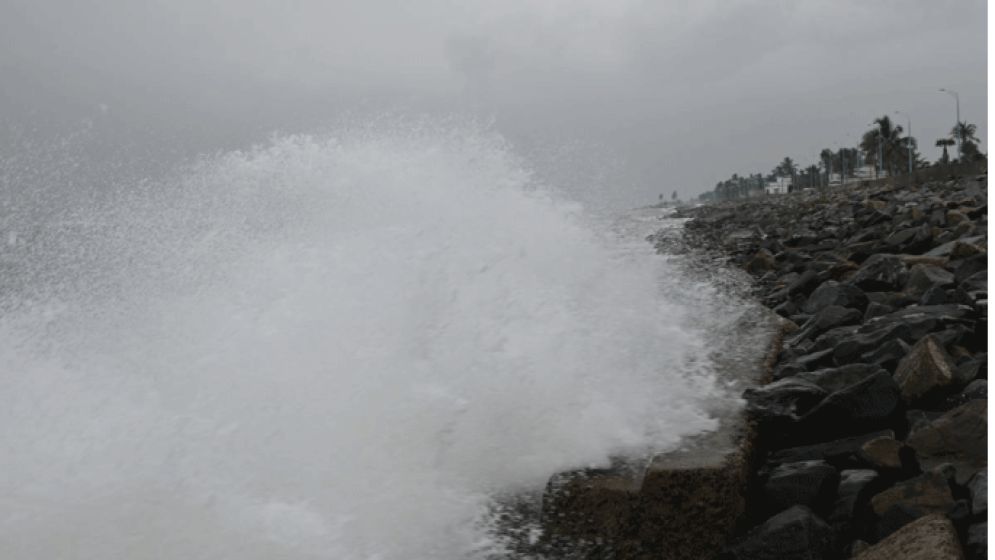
660, 95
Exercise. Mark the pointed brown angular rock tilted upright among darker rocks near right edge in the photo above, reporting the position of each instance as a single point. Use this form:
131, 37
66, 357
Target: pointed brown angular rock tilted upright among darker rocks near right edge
925, 372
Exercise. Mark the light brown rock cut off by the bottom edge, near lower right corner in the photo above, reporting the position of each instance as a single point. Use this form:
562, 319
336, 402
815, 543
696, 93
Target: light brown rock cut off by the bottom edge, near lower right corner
931, 537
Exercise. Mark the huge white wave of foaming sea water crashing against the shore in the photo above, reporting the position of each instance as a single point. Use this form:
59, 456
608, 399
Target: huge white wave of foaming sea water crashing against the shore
340, 346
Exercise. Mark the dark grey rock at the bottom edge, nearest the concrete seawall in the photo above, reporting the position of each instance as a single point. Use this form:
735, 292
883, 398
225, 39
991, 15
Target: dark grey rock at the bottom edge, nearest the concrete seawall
794, 534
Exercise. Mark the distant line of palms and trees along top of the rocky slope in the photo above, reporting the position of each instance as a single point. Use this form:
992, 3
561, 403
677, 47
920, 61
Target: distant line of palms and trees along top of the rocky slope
883, 147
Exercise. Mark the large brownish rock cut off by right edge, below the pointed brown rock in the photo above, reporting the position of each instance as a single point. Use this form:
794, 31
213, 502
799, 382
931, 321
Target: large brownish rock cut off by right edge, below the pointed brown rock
958, 437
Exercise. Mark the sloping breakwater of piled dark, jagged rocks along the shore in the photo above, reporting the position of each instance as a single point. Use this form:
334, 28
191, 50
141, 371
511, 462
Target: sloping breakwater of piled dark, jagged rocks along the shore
873, 428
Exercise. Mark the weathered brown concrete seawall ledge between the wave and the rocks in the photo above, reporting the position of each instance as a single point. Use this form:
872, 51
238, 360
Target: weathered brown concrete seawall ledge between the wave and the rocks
679, 504
